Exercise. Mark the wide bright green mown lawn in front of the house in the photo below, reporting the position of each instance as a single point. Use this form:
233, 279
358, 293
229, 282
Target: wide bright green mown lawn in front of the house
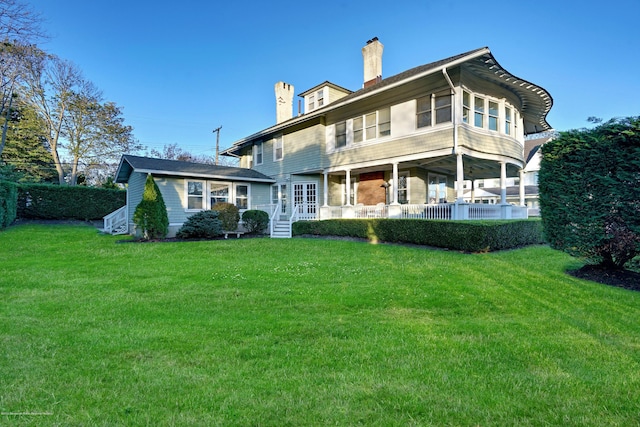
301, 332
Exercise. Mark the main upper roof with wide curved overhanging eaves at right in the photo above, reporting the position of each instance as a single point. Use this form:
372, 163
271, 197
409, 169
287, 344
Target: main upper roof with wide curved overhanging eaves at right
536, 101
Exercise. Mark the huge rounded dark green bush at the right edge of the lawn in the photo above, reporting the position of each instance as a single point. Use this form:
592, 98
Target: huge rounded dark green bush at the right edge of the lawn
590, 192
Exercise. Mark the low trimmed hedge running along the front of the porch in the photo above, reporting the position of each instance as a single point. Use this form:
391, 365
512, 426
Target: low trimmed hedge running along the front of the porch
468, 236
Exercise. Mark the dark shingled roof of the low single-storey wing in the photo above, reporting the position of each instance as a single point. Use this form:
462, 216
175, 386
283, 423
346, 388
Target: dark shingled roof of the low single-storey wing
129, 164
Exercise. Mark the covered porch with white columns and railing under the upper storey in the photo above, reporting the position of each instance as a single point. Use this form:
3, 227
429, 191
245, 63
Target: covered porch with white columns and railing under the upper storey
420, 188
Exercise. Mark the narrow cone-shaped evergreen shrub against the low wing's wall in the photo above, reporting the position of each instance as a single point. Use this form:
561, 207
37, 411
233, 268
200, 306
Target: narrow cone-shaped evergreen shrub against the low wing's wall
150, 215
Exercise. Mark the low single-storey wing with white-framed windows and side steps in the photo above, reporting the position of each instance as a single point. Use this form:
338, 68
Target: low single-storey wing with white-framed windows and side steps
186, 188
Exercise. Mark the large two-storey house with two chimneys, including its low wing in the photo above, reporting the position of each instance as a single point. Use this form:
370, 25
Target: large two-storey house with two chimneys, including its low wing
398, 147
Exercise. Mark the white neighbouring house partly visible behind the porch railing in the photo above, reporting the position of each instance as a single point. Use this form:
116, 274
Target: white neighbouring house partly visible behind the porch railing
488, 190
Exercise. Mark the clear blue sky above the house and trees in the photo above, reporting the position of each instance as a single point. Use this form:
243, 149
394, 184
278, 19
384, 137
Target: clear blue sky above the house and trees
181, 69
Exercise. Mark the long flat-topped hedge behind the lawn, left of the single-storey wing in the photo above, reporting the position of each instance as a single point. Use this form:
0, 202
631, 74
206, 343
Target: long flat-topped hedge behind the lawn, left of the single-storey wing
44, 201
